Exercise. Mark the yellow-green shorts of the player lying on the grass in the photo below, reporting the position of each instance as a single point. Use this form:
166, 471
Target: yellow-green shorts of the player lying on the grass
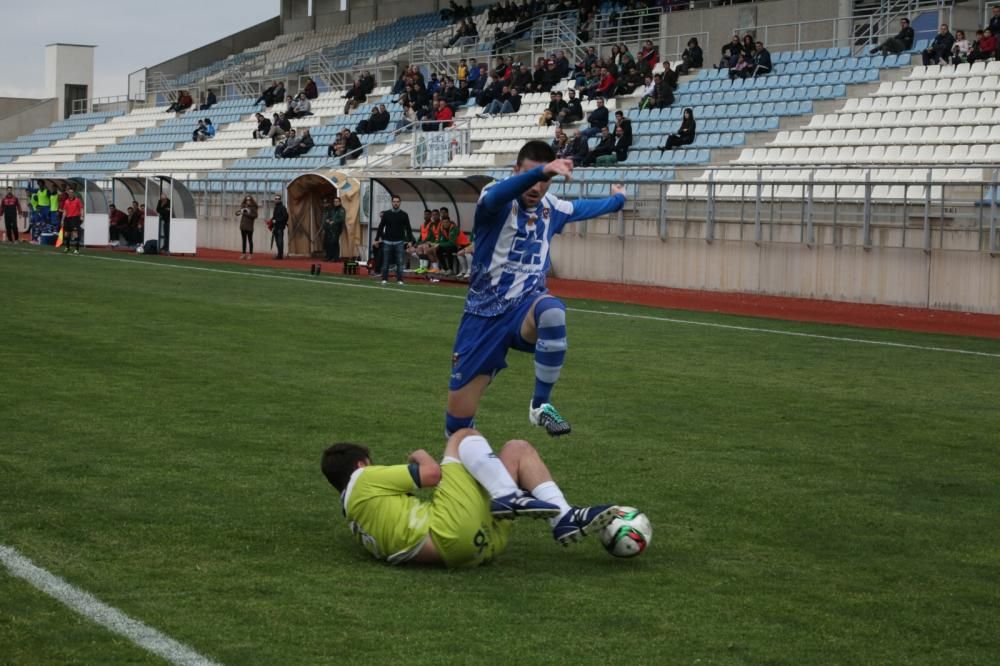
462, 528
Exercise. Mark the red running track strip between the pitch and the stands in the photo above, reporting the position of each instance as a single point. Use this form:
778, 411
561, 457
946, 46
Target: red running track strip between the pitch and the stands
771, 307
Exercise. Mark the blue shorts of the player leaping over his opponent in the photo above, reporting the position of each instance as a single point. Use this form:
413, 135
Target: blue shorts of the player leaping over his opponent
481, 343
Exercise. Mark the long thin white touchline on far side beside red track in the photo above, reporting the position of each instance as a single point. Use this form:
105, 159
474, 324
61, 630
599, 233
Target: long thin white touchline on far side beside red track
347, 282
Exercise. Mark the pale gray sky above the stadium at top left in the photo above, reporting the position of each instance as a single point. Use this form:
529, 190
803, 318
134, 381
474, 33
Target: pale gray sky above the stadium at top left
129, 34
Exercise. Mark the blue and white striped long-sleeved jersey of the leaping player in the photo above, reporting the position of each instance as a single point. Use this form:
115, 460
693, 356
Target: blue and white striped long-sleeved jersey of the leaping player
511, 258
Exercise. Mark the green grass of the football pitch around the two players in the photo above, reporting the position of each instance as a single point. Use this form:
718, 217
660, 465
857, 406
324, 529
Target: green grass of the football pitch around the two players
813, 501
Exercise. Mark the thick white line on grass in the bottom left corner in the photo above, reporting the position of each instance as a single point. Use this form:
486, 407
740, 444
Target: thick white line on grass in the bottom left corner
96, 611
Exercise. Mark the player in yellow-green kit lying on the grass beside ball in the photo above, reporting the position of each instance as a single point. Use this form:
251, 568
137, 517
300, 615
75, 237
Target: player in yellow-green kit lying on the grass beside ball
467, 521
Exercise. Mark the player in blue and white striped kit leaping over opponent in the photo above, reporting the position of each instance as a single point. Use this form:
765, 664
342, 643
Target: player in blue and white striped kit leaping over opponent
508, 305
